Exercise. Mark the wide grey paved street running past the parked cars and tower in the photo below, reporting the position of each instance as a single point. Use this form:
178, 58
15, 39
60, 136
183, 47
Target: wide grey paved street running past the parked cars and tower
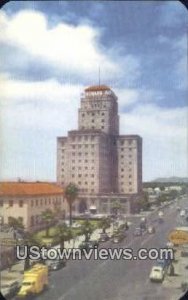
115, 280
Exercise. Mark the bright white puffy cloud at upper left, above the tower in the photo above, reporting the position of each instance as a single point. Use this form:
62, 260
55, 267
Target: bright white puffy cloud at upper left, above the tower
71, 48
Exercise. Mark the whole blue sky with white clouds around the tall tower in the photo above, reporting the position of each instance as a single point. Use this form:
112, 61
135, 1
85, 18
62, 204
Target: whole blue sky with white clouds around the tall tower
50, 51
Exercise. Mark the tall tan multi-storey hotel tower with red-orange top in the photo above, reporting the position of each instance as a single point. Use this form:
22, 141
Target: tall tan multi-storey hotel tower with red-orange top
104, 165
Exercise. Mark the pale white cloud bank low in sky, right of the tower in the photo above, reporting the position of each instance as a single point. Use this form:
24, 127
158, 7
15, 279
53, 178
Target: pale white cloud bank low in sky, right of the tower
165, 136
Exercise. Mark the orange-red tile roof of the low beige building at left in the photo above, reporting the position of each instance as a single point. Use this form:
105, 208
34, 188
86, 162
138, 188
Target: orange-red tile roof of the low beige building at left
29, 189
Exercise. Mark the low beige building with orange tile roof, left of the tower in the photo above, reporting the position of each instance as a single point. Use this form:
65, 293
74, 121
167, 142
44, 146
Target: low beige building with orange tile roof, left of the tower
27, 201
